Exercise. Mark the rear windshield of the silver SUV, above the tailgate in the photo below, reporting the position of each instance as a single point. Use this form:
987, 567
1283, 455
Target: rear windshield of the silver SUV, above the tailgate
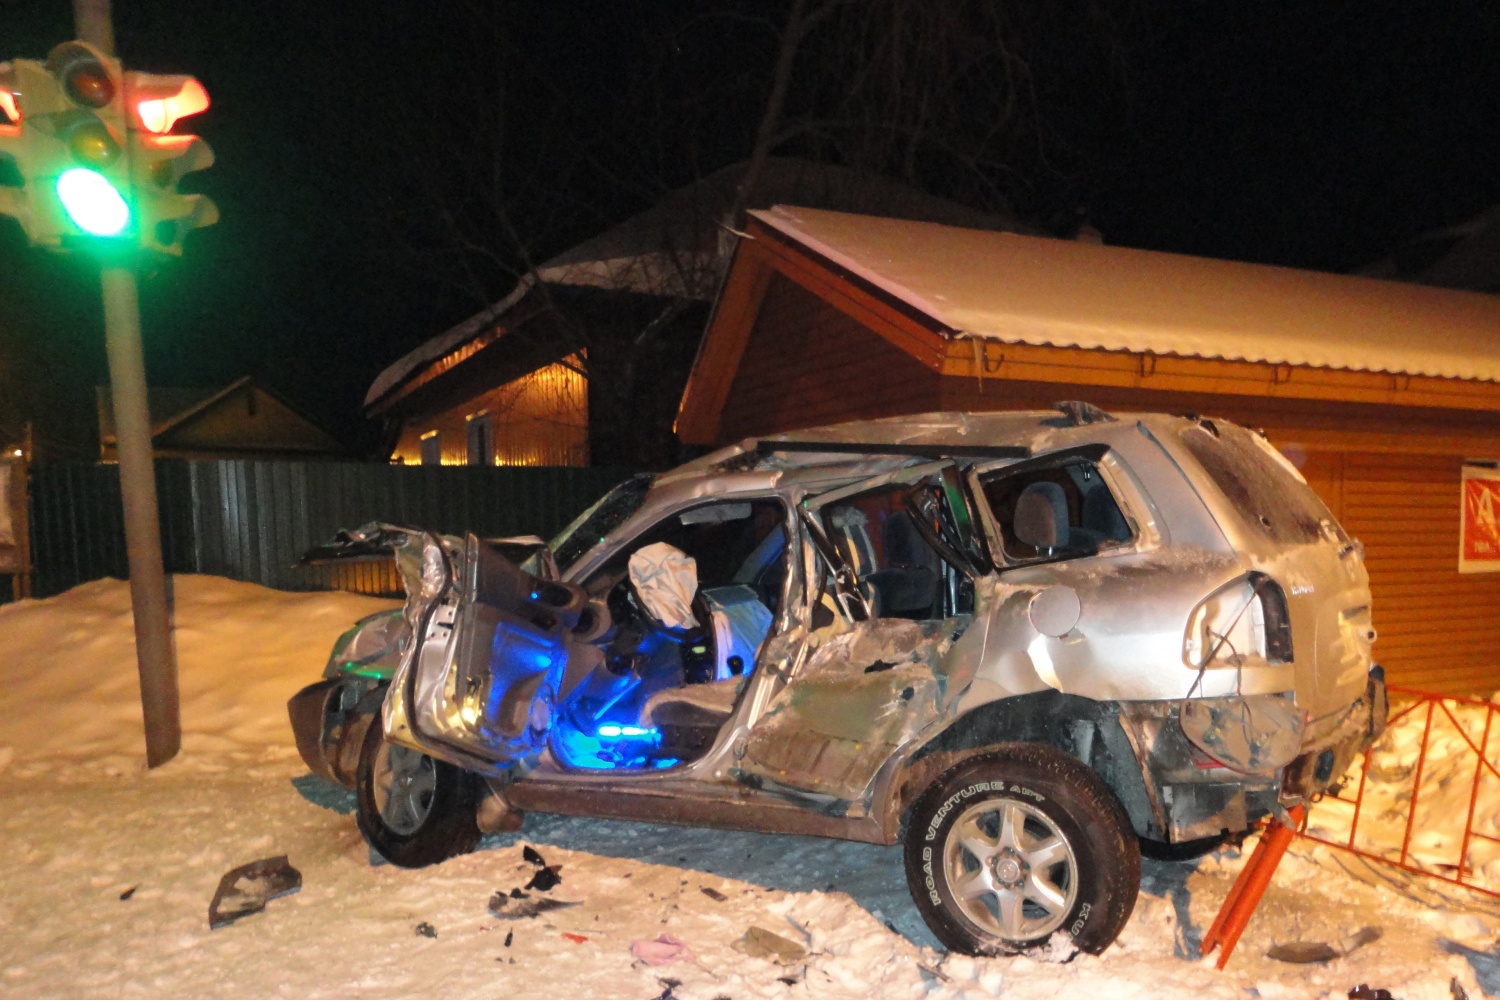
1271, 499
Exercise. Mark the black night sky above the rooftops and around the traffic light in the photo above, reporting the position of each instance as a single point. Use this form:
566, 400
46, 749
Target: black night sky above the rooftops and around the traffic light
1306, 134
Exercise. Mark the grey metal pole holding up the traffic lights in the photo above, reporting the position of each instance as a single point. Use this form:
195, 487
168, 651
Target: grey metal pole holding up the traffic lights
122, 334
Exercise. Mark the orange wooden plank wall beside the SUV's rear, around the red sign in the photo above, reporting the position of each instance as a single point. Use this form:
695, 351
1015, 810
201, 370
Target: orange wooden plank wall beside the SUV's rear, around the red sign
1436, 626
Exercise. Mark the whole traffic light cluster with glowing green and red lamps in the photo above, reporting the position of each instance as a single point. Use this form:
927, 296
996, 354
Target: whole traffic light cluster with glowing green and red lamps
88, 154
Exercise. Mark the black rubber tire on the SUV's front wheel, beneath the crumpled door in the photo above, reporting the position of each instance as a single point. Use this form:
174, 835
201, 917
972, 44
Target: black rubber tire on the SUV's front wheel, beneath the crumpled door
445, 830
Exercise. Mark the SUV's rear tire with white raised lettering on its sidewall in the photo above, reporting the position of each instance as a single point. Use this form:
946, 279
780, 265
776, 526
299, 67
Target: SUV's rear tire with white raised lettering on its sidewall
1057, 791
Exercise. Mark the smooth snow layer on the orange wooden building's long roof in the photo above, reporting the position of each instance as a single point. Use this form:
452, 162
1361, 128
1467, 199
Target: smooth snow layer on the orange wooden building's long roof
1055, 293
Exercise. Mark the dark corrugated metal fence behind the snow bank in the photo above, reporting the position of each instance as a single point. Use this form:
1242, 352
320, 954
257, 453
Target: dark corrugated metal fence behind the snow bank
253, 521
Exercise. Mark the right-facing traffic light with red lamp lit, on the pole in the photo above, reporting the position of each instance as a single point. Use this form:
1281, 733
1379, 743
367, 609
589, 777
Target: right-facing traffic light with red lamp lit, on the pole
160, 160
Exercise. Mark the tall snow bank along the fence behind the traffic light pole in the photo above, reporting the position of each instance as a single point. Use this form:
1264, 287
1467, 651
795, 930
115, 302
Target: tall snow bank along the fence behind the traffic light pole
70, 683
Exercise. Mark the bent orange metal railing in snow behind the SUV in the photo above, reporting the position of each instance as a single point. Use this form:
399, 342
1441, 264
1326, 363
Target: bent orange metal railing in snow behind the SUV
1453, 774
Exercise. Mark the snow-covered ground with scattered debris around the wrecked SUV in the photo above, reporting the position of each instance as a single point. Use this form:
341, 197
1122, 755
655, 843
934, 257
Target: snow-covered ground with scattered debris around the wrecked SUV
107, 870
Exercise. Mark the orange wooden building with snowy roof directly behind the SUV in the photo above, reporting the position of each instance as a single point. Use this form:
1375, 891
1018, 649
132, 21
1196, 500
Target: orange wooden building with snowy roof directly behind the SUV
1385, 395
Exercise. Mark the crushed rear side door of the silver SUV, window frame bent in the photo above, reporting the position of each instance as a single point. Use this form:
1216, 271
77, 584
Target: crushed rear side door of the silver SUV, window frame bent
901, 567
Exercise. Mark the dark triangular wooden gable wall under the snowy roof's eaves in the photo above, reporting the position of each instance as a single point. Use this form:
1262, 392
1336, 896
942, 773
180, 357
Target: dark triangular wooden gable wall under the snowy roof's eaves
808, 364
